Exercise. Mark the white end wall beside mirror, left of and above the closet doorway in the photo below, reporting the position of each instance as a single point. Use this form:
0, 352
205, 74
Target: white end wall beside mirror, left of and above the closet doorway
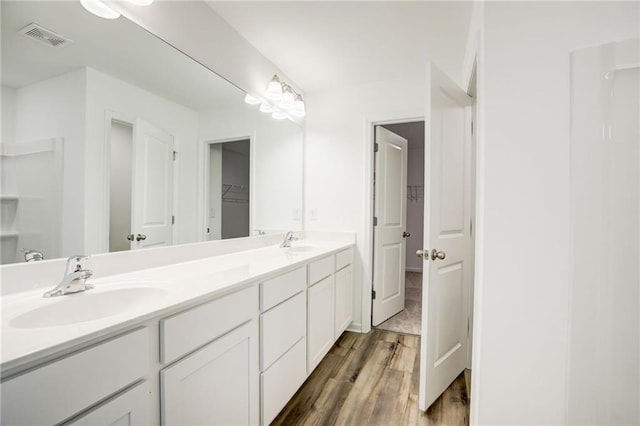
338, 163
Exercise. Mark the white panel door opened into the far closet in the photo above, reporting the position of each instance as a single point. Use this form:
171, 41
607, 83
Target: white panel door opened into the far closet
391, 215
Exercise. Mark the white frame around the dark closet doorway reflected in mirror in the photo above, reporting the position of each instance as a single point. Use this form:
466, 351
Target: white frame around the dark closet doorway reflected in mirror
204, 181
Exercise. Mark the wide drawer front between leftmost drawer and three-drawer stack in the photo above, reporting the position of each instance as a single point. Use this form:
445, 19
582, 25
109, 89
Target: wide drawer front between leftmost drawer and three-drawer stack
187, 331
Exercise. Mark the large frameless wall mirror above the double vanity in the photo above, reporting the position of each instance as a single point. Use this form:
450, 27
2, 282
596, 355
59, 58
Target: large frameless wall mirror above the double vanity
114, 140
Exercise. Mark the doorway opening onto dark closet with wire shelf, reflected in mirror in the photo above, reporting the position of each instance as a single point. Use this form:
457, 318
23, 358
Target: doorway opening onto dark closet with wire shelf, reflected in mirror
228, 182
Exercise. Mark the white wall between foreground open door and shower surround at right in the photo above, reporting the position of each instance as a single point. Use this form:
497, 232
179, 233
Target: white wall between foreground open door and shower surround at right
520, 350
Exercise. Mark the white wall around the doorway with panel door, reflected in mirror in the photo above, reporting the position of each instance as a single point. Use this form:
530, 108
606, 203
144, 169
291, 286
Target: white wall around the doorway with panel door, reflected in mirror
106, 94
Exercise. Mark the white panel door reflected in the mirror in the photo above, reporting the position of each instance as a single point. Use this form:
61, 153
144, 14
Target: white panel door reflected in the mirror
152, 194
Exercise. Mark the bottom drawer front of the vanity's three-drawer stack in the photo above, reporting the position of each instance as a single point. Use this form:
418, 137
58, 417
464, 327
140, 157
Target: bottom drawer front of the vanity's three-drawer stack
280, 382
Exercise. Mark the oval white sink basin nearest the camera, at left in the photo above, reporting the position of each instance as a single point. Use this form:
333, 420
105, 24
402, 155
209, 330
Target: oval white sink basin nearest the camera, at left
86, 306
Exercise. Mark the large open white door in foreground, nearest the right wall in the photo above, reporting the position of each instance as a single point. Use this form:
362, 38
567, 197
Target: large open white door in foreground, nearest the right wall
447, 256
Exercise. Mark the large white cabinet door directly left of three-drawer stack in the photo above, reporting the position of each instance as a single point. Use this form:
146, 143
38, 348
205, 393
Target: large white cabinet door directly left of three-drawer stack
216, 385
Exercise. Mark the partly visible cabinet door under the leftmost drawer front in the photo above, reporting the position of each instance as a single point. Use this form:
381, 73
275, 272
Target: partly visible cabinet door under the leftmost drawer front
129, 409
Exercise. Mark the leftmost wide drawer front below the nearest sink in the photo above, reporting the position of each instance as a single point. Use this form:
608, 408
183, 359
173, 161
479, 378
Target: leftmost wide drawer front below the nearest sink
53, 393
